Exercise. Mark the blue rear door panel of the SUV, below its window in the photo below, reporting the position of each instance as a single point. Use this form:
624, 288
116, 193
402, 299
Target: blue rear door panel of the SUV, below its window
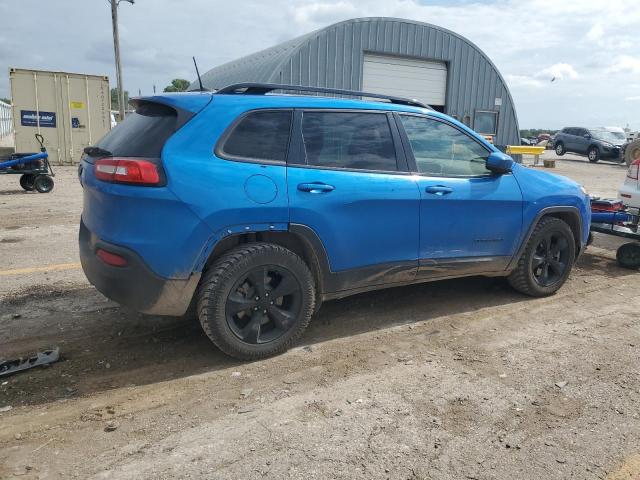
367, 220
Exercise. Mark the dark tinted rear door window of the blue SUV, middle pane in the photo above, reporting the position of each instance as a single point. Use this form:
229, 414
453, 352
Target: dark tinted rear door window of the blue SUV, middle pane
359, 141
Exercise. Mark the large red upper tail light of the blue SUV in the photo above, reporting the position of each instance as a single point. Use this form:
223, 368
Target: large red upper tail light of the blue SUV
127, 170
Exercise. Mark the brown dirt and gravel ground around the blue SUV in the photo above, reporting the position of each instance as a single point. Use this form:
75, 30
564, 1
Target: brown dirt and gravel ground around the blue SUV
461, 379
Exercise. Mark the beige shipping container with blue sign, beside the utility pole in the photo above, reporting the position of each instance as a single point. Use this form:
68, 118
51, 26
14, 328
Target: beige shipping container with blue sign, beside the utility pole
70, 110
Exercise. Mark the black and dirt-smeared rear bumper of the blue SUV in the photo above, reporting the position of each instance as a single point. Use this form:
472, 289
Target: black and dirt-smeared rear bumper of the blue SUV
134, 285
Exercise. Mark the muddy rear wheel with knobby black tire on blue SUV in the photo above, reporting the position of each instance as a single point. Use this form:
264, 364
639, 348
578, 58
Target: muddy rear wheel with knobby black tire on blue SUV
256, 300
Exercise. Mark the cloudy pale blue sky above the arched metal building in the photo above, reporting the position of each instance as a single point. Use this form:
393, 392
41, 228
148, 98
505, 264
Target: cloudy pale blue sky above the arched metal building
590, 47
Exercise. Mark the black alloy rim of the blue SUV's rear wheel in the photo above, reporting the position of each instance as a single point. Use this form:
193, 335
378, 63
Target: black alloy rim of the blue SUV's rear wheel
264, 304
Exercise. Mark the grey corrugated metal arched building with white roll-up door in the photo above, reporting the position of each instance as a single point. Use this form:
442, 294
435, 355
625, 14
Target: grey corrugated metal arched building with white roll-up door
391, 56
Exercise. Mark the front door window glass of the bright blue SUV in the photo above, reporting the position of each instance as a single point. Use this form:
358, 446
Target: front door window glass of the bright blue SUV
443, 150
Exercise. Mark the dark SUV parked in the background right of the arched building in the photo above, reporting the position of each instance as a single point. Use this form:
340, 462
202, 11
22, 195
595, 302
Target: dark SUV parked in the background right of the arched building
595, 143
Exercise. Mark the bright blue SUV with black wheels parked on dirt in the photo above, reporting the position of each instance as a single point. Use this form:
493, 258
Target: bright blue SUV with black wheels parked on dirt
255, 208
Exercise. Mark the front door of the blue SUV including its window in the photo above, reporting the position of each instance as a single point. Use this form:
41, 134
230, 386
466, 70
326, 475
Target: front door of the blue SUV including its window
470, 218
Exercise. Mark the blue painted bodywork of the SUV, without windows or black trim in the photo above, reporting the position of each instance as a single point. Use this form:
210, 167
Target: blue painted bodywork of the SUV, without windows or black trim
370, 218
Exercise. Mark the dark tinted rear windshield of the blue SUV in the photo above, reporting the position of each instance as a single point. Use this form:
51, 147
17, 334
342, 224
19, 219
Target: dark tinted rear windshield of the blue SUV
143, 133
